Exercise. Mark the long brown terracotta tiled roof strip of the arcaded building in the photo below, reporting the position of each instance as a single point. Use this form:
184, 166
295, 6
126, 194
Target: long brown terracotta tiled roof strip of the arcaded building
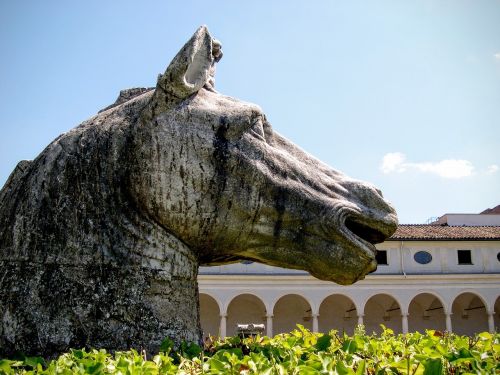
439, 233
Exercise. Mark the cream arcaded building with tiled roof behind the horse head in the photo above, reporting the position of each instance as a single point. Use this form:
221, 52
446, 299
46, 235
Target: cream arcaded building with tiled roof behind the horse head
444, 276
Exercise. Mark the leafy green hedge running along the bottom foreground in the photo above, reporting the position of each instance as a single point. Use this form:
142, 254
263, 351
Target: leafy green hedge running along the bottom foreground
299, 352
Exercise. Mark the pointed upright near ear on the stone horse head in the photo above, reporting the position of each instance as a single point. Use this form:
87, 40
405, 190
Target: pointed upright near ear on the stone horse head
190, 69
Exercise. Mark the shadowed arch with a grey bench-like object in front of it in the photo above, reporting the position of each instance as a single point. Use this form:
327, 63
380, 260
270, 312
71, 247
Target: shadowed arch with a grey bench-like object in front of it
244, 309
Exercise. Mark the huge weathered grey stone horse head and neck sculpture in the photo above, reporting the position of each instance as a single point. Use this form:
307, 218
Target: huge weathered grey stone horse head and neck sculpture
102, 234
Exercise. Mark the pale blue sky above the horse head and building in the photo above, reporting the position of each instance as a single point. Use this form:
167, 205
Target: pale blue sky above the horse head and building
403, 94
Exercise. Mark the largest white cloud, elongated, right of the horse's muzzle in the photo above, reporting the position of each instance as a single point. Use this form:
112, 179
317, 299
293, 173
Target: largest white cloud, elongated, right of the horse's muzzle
448, 168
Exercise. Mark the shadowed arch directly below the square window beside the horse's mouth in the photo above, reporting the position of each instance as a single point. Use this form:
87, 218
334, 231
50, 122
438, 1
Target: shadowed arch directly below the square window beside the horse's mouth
382, 309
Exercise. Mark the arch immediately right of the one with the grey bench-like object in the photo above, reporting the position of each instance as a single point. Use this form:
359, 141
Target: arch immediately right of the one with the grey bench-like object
290, 310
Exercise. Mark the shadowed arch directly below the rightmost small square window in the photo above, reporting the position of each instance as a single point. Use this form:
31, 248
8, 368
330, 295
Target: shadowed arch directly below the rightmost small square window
469, 314
